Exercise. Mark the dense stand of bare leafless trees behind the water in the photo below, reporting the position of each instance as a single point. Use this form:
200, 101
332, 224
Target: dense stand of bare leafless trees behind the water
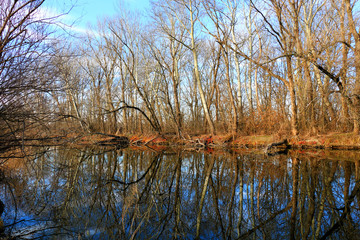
245, 67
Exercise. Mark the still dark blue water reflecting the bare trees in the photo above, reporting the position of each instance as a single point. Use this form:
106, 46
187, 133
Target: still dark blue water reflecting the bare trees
106, 193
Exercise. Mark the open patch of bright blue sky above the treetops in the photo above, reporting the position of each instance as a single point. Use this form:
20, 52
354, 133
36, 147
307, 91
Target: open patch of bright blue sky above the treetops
85, 12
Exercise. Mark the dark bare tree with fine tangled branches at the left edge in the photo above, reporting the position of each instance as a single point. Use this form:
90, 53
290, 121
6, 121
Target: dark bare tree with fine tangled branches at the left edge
23, 53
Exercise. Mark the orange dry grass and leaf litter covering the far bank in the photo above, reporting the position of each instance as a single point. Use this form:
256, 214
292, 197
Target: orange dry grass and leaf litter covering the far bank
333, 140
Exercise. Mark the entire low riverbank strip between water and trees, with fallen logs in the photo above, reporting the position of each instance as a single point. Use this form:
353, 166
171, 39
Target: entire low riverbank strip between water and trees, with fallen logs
336, 141
